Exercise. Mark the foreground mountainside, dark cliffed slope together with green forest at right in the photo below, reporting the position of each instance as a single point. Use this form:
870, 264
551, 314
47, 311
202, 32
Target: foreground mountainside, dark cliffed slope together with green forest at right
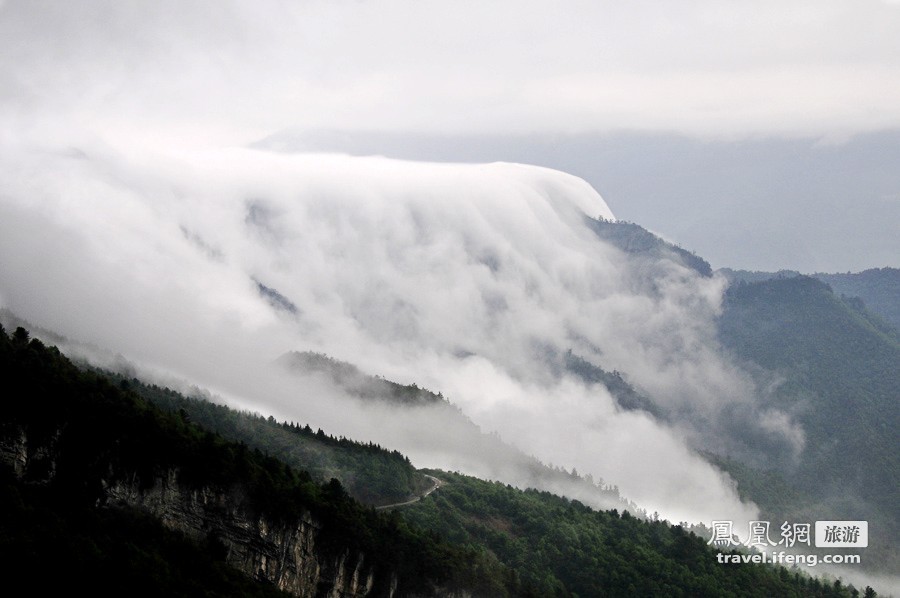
196, 512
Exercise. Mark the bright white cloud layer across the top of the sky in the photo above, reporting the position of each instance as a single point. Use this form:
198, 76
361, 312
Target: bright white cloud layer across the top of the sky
236, 70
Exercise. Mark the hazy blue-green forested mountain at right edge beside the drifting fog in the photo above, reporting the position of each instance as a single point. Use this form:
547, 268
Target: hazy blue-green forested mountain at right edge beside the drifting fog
836, 370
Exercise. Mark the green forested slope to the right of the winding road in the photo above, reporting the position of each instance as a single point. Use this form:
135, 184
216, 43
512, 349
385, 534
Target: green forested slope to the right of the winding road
564, 548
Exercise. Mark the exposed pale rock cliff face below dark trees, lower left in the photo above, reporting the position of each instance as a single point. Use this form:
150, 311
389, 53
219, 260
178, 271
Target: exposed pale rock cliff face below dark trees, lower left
286, 554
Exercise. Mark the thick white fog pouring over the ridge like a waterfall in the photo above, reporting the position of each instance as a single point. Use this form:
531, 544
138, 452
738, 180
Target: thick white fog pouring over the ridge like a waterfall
469, 280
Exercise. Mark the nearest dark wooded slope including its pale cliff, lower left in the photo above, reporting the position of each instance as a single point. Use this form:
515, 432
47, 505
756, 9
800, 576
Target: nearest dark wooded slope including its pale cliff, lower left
78, 444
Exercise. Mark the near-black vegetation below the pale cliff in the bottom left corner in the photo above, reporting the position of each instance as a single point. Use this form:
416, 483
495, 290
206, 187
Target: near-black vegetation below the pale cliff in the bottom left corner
54, 545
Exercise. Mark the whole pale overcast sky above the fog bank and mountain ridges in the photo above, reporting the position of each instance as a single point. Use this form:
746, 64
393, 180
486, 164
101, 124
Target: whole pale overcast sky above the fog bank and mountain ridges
760, 134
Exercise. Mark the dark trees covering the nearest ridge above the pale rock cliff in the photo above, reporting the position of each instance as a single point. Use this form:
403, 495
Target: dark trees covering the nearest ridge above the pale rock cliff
102, 432
